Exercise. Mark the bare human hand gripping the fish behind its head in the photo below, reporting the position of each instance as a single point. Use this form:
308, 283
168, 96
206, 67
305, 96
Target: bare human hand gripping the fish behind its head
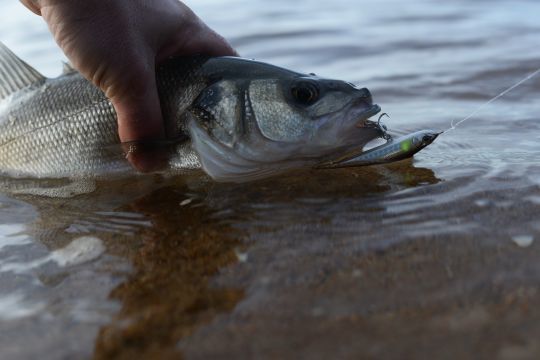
116, 44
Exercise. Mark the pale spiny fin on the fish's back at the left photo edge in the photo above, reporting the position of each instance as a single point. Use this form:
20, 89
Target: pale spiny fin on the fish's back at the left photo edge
15, 74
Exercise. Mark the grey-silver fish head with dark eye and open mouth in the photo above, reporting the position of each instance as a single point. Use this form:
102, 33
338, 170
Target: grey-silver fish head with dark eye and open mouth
265, 120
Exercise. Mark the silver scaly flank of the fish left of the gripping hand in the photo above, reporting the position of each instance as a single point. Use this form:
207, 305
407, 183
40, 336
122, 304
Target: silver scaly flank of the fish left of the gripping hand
59, 129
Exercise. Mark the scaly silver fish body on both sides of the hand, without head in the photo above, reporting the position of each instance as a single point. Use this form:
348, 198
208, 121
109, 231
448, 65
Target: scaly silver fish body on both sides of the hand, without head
66, 127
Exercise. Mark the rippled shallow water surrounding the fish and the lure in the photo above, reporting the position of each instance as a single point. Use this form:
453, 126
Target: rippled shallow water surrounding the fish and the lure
432, 257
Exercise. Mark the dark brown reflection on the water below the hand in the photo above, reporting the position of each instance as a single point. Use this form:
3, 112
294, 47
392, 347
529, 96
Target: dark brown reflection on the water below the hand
170, 292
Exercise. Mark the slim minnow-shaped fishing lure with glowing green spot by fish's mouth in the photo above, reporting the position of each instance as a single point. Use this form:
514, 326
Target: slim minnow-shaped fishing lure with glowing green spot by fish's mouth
392, 150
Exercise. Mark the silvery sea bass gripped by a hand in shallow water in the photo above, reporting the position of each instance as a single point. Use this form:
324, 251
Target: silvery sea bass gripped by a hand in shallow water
237, 119
